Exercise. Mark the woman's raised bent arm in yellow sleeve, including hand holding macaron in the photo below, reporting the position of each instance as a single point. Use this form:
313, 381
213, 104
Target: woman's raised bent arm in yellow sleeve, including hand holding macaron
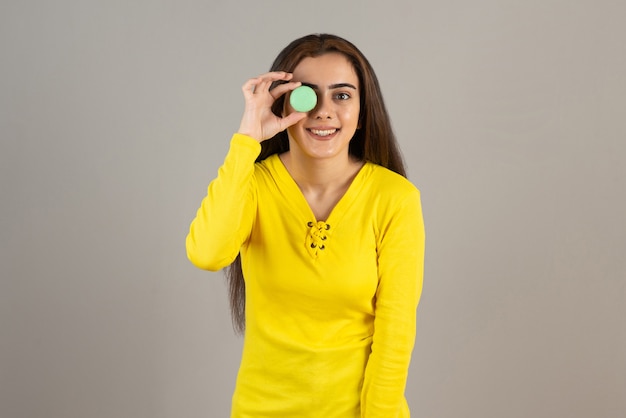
224, 220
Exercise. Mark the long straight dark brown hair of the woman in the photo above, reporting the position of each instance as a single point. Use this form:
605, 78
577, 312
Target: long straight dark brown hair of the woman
374, 141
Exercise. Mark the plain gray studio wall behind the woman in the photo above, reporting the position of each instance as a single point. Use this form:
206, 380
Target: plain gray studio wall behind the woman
115, 115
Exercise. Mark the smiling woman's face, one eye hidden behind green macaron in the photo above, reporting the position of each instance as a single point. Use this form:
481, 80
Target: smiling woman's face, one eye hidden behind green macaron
329, 127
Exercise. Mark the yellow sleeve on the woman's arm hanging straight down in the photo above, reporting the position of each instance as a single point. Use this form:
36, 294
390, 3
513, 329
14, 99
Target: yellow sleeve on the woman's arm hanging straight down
400, 272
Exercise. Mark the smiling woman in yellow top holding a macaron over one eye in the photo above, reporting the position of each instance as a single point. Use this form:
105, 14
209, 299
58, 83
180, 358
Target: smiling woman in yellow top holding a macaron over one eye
314, 212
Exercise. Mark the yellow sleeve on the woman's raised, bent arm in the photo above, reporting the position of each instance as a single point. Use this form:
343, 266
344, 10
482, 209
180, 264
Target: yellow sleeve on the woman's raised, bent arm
224, 220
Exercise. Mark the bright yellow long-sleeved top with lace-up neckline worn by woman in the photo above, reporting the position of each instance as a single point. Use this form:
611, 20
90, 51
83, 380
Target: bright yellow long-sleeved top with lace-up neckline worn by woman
330, 305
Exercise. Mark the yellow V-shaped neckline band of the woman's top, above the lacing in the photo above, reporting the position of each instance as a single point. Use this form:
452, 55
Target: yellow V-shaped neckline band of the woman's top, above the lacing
337, 212
